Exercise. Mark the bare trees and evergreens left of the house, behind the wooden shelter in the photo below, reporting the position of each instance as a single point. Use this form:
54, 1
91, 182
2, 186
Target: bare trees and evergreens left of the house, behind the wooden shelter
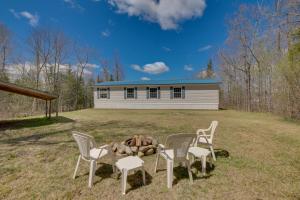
51, 61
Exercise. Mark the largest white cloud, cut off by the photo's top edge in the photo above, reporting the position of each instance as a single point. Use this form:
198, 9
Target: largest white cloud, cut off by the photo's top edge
167, 13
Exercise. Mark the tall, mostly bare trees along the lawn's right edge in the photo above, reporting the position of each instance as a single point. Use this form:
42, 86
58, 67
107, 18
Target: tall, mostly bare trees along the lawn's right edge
260, 61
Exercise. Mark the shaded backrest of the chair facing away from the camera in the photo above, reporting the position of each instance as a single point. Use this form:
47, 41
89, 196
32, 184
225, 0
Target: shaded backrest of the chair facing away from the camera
180, 144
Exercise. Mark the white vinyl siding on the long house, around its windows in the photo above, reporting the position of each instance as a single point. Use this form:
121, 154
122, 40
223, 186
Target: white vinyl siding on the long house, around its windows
194, 97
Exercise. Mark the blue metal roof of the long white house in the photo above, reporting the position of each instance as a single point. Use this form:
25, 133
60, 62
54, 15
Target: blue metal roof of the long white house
160, 82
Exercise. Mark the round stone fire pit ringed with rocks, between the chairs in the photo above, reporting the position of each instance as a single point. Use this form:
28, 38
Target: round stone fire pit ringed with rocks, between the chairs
137, 145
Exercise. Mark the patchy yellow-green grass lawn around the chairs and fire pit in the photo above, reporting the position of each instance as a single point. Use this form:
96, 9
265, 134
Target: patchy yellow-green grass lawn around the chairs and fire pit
258, 156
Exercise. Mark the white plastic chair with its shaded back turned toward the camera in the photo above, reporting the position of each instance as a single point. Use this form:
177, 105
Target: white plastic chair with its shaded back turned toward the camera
175, 150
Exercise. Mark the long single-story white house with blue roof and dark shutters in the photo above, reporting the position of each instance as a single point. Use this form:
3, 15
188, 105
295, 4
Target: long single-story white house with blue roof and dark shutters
154, 94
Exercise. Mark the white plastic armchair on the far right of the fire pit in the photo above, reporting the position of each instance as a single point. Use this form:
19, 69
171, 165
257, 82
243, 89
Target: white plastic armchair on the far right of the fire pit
205, 136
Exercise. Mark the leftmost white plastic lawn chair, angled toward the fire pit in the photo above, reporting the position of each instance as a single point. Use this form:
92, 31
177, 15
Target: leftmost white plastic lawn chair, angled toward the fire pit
89, 153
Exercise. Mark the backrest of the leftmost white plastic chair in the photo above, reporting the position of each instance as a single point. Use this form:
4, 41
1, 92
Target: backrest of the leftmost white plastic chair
84, 142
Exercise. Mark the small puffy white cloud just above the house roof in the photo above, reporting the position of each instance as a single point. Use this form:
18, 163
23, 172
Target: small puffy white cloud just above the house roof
153, 68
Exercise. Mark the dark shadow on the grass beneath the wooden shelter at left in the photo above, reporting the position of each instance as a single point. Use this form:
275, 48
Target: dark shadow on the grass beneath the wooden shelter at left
32, 122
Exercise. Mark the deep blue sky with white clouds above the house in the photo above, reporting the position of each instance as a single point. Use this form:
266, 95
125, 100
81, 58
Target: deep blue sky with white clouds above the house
156, 42
